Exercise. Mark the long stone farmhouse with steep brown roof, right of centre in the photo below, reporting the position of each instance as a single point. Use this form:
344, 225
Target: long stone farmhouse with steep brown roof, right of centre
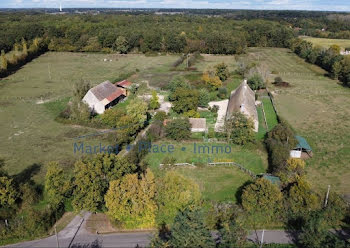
242, 100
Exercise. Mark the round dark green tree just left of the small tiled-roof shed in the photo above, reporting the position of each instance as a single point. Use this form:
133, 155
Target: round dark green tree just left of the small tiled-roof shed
178, 129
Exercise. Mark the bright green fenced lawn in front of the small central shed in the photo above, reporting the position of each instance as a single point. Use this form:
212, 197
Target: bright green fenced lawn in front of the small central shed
216, 183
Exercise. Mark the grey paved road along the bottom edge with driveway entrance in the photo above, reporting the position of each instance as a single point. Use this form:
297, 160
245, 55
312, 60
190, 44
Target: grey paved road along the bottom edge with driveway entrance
75, 234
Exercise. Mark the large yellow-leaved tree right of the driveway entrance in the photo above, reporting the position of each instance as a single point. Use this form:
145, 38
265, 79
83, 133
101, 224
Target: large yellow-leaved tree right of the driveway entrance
130, 201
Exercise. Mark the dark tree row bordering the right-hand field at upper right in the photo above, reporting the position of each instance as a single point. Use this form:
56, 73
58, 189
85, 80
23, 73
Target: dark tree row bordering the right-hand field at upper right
337, 65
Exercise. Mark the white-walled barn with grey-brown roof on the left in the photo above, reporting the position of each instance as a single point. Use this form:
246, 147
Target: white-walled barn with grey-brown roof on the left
104, 96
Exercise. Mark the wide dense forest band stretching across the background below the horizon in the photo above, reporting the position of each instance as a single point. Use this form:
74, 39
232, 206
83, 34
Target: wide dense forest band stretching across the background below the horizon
145, 33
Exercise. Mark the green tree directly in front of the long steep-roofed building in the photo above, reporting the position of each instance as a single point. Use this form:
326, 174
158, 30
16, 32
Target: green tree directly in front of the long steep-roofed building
239, 129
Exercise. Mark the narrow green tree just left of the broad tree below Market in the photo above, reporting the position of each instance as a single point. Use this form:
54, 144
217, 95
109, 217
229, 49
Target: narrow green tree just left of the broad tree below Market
56, 184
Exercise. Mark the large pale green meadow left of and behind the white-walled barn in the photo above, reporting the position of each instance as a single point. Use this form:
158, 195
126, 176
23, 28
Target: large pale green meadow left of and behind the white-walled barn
31, 99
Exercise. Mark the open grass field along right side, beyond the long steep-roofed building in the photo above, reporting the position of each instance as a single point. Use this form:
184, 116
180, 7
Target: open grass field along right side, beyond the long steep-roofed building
318, 109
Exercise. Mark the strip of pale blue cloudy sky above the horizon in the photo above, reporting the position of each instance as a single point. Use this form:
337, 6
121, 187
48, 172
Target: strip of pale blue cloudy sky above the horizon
334, 5
